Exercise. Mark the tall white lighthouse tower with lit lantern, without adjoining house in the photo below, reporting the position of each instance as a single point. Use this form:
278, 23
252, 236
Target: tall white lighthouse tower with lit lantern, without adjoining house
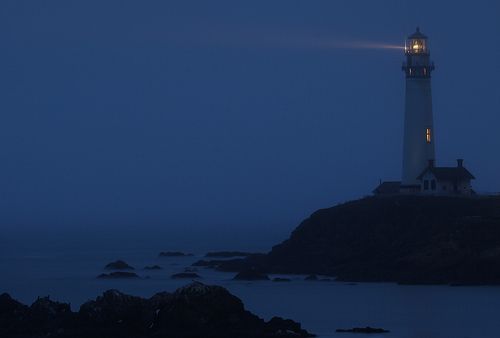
418, 143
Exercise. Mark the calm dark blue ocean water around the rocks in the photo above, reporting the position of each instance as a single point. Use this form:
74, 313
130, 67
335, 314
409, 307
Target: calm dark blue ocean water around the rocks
68, 275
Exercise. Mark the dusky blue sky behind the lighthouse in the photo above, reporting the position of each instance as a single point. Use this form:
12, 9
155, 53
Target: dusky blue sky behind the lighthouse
225, 114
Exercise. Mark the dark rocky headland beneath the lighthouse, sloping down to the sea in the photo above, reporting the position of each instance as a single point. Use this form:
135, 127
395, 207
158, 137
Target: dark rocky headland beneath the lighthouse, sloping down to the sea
404, 239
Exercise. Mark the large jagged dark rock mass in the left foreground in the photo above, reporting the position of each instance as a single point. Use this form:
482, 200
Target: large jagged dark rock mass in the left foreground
196, 310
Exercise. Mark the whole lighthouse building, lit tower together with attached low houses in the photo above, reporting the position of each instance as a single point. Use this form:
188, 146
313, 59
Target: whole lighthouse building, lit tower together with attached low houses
420, 174
